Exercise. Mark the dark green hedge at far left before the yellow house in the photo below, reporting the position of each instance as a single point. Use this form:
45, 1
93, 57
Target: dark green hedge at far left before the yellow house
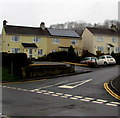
14, 62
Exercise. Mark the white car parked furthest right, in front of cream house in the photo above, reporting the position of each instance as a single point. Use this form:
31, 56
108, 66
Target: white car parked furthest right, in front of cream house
106, 60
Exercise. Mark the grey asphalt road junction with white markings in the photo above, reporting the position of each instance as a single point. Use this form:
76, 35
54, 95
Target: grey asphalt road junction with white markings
77, 95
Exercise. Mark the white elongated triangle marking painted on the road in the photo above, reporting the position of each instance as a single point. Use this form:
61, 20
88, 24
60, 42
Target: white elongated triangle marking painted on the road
74, 84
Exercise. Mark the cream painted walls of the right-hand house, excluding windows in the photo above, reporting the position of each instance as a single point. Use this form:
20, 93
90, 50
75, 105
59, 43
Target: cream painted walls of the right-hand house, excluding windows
90, 43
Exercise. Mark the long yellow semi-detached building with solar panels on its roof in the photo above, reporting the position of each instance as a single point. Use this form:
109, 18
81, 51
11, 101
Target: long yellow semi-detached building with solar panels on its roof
38, 41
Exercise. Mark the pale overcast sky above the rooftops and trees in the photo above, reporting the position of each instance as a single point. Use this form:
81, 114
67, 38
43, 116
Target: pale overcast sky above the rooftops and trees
33, 12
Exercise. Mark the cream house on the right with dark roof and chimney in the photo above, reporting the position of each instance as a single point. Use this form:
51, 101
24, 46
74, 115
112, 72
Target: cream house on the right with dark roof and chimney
100, 39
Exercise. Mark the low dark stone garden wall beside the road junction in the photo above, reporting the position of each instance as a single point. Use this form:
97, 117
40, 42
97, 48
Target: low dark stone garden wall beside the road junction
38, 70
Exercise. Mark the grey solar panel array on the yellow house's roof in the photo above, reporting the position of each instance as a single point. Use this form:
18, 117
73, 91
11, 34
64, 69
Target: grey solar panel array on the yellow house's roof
66, 33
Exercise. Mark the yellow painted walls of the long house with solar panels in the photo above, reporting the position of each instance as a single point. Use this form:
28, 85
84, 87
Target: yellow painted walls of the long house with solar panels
46, 45
